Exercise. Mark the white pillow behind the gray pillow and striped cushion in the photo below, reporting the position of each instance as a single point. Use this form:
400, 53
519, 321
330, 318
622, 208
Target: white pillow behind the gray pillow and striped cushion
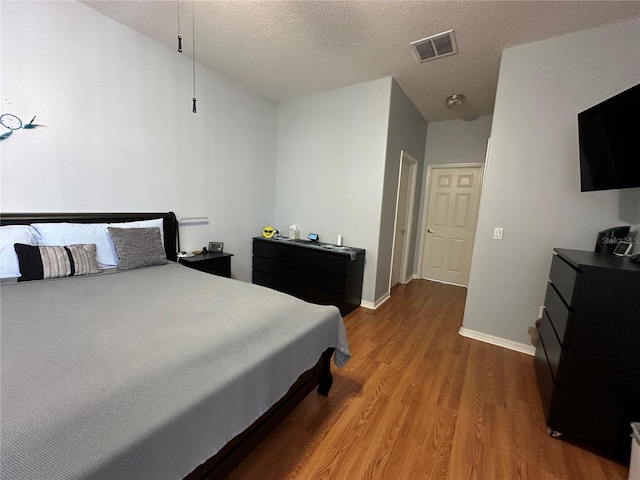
56, 234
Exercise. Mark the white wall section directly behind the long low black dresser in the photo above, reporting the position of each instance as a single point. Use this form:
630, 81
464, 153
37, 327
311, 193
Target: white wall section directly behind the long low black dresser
331, 158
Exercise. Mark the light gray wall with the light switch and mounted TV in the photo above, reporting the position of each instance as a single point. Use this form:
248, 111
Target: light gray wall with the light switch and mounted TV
532, 185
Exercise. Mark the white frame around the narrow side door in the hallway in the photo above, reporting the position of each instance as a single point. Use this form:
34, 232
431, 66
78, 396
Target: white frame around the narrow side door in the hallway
411, 192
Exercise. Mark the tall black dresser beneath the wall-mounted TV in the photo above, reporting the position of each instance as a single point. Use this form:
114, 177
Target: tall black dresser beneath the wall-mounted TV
588, 359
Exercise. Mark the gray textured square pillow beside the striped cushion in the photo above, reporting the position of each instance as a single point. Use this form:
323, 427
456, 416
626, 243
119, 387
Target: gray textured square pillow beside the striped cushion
138, 247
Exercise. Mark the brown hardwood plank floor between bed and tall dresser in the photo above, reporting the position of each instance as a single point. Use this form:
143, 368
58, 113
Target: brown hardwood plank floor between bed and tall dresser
419, 401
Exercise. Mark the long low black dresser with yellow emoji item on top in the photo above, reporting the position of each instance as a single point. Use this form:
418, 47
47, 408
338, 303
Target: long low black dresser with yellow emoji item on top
316, 272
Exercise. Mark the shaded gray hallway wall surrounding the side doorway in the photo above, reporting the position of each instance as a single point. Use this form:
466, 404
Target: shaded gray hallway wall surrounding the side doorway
407, 131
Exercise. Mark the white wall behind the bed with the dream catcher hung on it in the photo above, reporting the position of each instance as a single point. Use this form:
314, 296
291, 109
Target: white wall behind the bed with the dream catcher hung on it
119, 134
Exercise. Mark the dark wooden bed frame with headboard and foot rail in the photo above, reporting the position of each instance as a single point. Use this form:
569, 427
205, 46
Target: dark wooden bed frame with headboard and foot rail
225, 460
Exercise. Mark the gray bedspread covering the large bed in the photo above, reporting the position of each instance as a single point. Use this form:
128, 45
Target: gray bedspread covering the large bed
147, 373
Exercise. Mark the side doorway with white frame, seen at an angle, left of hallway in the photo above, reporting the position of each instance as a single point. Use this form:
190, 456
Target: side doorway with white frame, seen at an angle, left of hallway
404, 219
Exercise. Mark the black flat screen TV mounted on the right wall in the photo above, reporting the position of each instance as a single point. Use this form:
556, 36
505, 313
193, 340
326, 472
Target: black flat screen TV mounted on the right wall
609, 137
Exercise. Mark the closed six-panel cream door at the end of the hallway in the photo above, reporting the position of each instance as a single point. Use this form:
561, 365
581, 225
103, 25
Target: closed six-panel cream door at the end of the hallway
452, 214
